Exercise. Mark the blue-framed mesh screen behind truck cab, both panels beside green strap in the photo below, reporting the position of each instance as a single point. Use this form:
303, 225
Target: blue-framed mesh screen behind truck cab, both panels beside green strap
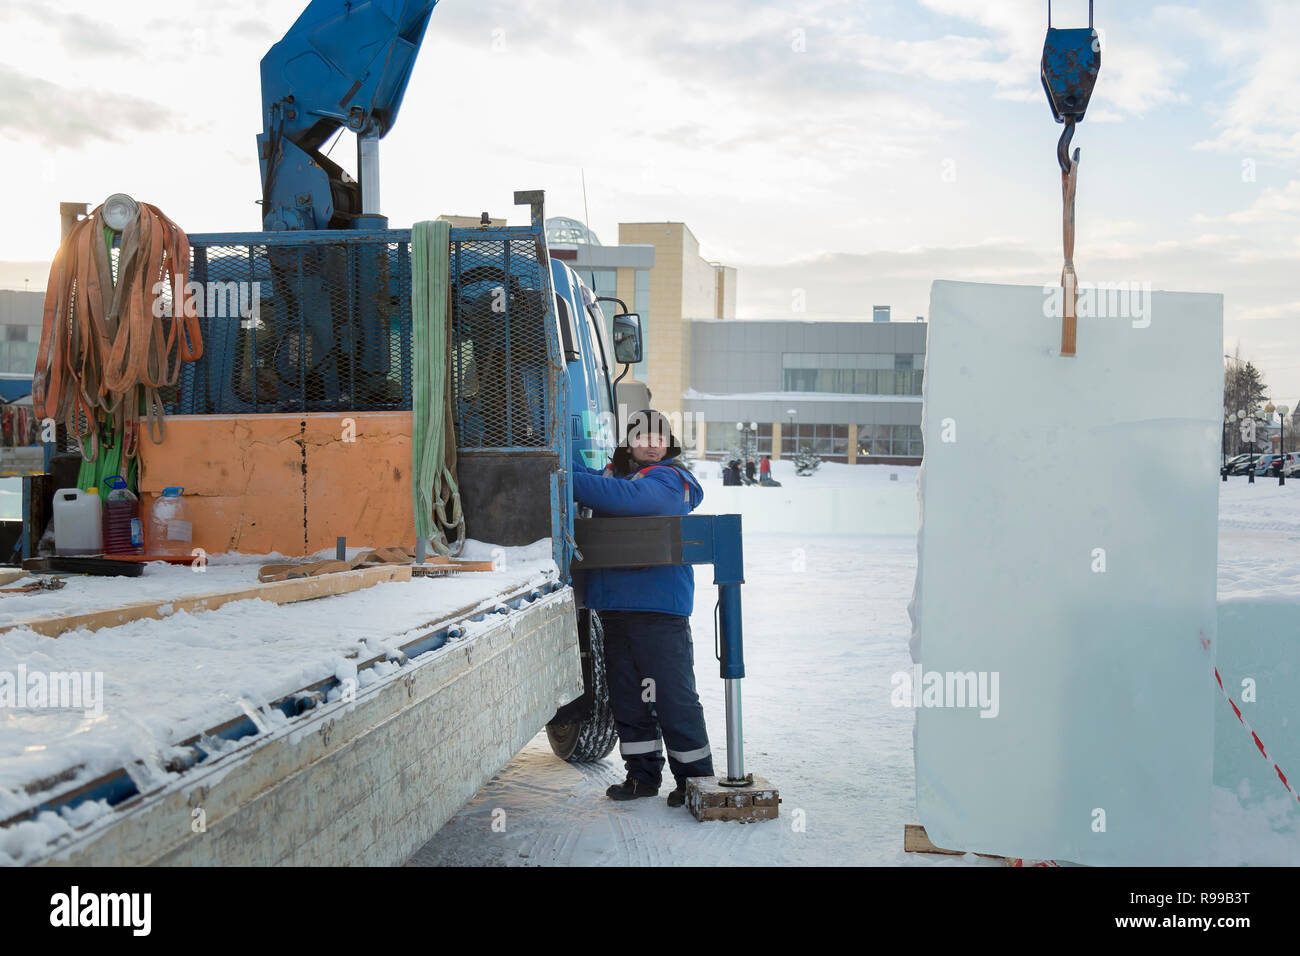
327, 327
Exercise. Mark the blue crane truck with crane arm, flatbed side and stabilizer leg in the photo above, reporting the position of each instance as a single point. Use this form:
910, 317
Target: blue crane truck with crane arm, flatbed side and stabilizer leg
532, 390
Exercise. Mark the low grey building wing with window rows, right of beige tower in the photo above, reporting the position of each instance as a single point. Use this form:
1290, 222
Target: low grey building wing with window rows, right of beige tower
850, 392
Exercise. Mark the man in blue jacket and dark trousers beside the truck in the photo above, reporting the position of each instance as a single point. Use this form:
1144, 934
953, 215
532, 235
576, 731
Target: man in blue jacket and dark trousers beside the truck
645, 613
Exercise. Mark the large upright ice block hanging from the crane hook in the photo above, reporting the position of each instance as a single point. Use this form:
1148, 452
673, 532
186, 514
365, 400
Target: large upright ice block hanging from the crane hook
1064, 617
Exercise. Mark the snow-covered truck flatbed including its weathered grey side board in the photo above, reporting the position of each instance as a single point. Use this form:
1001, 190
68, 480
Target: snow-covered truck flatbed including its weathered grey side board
193, 697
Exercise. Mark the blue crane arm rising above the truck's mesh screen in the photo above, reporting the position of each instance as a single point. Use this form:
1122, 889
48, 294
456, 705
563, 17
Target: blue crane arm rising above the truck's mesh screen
344, 64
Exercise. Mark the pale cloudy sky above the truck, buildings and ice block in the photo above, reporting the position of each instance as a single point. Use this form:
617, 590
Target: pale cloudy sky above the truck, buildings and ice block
840, 154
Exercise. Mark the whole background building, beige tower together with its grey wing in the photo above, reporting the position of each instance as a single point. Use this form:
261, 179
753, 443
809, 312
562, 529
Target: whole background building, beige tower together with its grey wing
848, 391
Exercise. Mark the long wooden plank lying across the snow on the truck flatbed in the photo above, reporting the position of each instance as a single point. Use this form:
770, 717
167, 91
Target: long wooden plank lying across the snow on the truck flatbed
276, 592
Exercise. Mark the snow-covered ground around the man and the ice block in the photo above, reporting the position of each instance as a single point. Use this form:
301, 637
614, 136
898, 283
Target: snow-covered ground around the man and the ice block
818, 720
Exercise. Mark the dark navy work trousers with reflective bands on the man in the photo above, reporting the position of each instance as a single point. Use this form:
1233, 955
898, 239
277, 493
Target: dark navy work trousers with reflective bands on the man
652, 667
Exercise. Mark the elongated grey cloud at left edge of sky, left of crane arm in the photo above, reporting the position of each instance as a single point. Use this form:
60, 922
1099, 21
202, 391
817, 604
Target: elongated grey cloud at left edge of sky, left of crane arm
53, 116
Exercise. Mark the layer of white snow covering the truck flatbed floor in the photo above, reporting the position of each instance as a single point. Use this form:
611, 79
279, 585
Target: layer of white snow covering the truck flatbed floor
168, 681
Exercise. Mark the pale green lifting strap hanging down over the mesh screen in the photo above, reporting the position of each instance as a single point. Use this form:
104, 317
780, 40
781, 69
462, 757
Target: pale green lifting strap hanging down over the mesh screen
439, 518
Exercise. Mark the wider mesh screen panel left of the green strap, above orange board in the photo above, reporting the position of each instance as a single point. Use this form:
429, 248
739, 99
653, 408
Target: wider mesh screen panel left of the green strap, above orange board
300, 327
